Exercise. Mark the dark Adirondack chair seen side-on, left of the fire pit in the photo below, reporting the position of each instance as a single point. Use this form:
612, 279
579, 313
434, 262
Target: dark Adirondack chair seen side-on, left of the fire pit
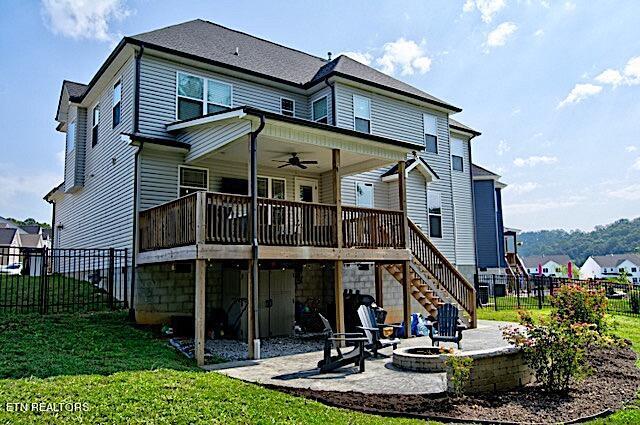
332, 341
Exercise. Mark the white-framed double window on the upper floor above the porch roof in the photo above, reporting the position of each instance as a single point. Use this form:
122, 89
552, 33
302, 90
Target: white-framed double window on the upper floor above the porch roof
194, 94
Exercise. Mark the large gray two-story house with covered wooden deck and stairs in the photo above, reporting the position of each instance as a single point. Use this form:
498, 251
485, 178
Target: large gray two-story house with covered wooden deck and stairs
249, 179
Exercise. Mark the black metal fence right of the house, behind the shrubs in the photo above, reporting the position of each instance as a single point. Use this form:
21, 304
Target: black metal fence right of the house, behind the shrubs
503, 292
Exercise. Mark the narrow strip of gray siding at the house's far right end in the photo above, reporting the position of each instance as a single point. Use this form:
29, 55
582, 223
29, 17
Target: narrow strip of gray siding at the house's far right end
463, 205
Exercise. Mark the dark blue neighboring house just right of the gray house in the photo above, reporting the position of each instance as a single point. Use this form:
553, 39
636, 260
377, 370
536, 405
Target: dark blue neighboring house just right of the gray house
490, 243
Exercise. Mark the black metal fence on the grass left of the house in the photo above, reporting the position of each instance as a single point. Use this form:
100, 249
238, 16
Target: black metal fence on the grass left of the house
45, 280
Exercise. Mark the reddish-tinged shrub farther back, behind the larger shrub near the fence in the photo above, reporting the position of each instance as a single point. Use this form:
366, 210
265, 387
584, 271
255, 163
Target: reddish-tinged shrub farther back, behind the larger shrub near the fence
575, 304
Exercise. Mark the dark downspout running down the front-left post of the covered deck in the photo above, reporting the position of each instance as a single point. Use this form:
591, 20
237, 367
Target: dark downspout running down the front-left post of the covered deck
254, 345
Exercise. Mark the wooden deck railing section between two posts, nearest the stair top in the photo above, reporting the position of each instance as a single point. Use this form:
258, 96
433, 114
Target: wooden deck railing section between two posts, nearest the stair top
372, 228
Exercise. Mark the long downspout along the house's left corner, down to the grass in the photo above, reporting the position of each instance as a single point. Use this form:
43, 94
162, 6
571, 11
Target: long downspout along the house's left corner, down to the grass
136, 160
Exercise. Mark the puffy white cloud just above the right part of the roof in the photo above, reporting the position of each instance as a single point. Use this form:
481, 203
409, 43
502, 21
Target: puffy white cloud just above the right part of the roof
406, 55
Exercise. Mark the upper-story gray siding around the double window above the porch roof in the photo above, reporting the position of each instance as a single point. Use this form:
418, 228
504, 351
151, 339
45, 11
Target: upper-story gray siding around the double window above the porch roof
158, 94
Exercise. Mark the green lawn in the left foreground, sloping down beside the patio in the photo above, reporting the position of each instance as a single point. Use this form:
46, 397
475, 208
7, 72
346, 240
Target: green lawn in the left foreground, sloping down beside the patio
116, 370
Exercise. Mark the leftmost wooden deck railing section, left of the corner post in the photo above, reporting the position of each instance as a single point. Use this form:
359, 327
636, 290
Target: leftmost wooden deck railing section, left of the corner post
168, 225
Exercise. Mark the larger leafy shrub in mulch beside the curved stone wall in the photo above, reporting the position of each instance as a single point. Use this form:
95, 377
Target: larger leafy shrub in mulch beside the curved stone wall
555, 350
